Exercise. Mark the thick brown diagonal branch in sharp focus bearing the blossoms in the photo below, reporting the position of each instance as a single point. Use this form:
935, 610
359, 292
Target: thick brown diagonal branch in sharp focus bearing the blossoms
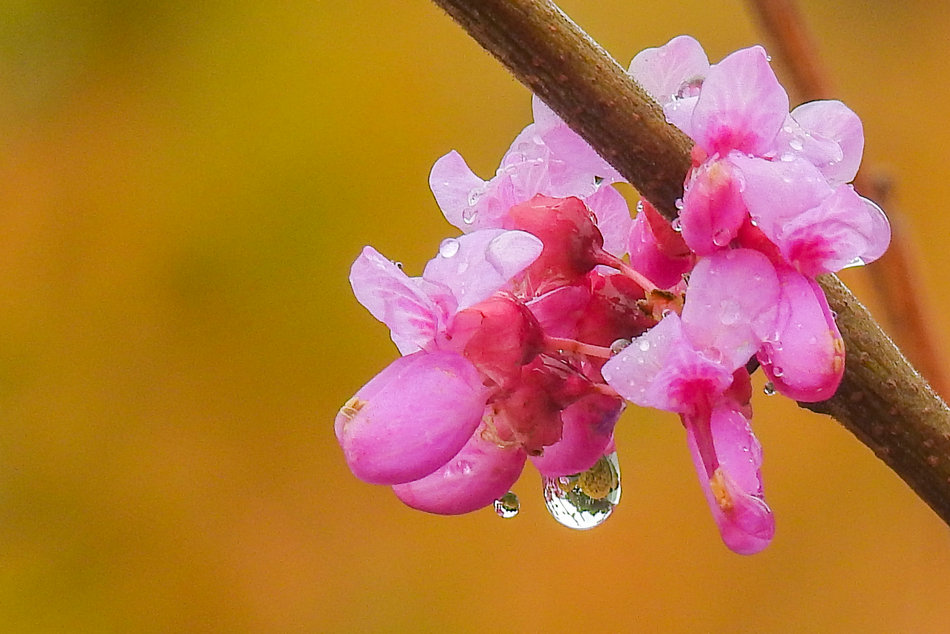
882, 400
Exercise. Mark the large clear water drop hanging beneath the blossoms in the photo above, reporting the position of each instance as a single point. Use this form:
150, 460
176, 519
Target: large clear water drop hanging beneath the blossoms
585, 500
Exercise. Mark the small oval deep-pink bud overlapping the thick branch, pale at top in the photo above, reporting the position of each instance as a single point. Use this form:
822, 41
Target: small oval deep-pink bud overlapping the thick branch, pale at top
713, 209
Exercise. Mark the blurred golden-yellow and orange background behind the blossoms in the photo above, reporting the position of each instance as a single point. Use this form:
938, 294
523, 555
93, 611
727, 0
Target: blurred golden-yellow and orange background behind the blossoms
182, 190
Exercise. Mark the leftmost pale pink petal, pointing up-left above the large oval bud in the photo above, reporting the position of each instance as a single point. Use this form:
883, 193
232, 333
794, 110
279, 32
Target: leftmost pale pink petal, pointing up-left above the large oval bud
395, 299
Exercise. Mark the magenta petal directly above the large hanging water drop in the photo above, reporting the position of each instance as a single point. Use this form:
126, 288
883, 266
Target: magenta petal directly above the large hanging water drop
588, 426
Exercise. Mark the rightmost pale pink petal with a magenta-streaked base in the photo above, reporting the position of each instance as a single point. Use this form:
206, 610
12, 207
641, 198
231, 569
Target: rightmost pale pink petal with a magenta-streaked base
844, 230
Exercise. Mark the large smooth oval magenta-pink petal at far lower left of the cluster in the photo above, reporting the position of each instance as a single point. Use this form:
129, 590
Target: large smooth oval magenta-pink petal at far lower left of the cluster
411, 418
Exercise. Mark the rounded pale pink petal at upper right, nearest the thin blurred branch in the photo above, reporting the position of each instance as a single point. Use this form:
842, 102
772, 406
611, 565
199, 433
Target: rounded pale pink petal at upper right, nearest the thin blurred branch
833, 121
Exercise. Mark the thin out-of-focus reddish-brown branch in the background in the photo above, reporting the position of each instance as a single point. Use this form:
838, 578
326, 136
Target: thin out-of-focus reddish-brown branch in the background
793, 47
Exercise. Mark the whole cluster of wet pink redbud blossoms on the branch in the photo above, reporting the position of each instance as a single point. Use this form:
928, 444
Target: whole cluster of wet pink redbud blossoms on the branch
525, 336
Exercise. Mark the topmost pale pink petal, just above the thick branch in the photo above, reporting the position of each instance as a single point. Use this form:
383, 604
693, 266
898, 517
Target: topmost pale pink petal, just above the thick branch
664, 71
